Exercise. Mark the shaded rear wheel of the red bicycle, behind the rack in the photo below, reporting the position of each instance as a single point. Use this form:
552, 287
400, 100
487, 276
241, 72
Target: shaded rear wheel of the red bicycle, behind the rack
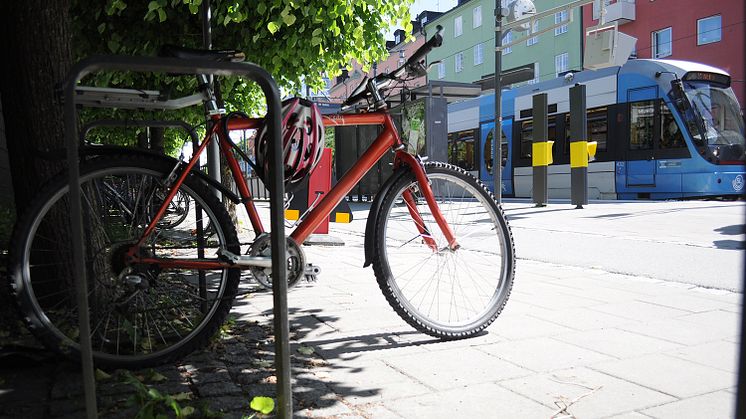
140, 315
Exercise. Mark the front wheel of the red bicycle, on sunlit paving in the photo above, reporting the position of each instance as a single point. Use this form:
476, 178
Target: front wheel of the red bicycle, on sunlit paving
450, 294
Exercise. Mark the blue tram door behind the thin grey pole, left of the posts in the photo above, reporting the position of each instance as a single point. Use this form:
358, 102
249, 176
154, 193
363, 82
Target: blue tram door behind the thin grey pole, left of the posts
487, 153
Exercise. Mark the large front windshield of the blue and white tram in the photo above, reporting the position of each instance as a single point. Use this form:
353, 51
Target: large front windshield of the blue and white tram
717, 123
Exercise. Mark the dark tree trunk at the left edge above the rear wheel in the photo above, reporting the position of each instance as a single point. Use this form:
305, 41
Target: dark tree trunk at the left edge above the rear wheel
37, 57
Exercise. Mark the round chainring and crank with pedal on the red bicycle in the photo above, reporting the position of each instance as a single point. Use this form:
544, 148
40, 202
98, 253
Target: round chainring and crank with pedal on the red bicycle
297, 268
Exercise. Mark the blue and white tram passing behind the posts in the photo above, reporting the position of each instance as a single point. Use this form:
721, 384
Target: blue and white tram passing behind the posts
665, 129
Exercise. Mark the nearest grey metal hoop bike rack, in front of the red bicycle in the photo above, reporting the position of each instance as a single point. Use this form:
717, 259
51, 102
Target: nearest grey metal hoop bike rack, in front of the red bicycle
72, 99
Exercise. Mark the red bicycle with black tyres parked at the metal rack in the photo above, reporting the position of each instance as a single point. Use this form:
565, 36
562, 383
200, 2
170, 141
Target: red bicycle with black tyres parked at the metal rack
441, 249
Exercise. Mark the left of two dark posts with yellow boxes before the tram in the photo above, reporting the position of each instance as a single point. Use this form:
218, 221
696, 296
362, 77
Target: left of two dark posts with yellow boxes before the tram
540, 150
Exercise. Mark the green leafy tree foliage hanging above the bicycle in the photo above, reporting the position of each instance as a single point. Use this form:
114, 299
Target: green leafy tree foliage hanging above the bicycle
295, 40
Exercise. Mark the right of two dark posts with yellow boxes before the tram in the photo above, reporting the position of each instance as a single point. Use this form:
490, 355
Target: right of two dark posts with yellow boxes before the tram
578, 147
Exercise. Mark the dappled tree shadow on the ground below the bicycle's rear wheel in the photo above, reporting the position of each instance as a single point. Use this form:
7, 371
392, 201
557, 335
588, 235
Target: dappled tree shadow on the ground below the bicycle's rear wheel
237, 365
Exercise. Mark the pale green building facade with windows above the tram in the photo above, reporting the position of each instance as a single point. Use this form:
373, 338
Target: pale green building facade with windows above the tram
467, 54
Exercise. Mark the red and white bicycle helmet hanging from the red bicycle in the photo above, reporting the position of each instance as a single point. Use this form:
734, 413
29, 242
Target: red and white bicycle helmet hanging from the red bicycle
302, 141
